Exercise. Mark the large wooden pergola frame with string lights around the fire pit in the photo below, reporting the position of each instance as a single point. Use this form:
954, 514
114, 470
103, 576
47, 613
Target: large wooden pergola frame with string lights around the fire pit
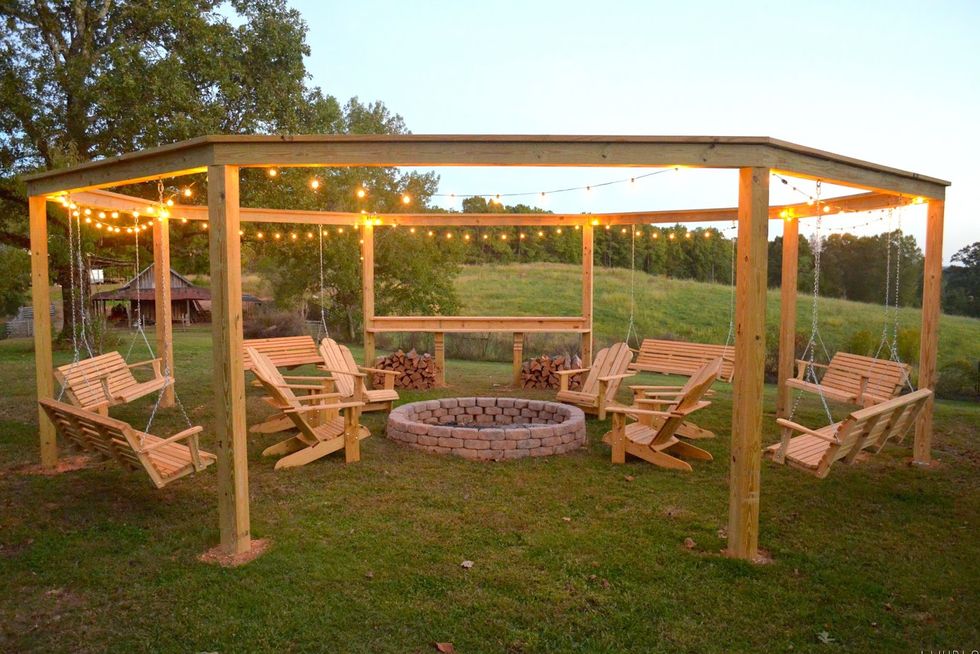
221, 158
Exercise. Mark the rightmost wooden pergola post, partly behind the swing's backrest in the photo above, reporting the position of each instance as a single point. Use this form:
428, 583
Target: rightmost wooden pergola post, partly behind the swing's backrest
932, 274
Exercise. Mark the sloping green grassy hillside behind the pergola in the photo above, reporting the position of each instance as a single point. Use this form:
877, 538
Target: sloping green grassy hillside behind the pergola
680, 308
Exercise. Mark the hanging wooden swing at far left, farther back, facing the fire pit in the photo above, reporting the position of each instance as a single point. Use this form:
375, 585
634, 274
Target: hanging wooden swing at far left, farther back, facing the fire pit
107, 380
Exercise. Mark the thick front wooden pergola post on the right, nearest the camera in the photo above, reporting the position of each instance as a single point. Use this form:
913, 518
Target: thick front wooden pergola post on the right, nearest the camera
750, 352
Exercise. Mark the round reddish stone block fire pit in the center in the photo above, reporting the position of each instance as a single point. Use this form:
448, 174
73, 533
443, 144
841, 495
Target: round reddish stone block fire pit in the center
488, 428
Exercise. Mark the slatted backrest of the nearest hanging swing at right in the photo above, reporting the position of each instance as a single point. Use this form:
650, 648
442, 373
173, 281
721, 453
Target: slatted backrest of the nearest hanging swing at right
873, 426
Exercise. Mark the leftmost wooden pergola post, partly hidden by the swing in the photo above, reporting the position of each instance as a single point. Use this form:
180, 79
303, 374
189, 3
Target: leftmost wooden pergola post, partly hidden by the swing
41, 301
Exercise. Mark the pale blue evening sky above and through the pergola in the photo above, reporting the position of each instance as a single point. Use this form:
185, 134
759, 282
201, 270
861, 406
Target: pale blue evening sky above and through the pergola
895, 83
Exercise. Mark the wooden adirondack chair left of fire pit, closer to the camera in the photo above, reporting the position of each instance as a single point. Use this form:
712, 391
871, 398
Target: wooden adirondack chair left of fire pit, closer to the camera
323, 427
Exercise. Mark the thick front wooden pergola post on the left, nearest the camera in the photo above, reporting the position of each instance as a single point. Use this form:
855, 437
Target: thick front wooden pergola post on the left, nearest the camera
229, 374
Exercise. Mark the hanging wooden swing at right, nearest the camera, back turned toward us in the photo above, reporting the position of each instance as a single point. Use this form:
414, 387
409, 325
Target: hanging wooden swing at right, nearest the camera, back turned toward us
815, 450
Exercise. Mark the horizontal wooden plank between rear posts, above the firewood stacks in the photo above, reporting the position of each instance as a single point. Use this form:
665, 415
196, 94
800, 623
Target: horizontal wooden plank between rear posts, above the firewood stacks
463, 324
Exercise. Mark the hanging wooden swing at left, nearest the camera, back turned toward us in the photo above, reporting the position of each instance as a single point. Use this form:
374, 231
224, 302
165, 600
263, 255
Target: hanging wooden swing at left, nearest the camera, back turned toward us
163, 459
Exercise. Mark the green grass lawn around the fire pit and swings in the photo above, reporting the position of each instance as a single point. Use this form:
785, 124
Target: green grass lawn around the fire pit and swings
570, 553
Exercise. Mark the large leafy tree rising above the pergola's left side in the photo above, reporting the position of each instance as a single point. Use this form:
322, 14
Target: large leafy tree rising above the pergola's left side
84, 79
